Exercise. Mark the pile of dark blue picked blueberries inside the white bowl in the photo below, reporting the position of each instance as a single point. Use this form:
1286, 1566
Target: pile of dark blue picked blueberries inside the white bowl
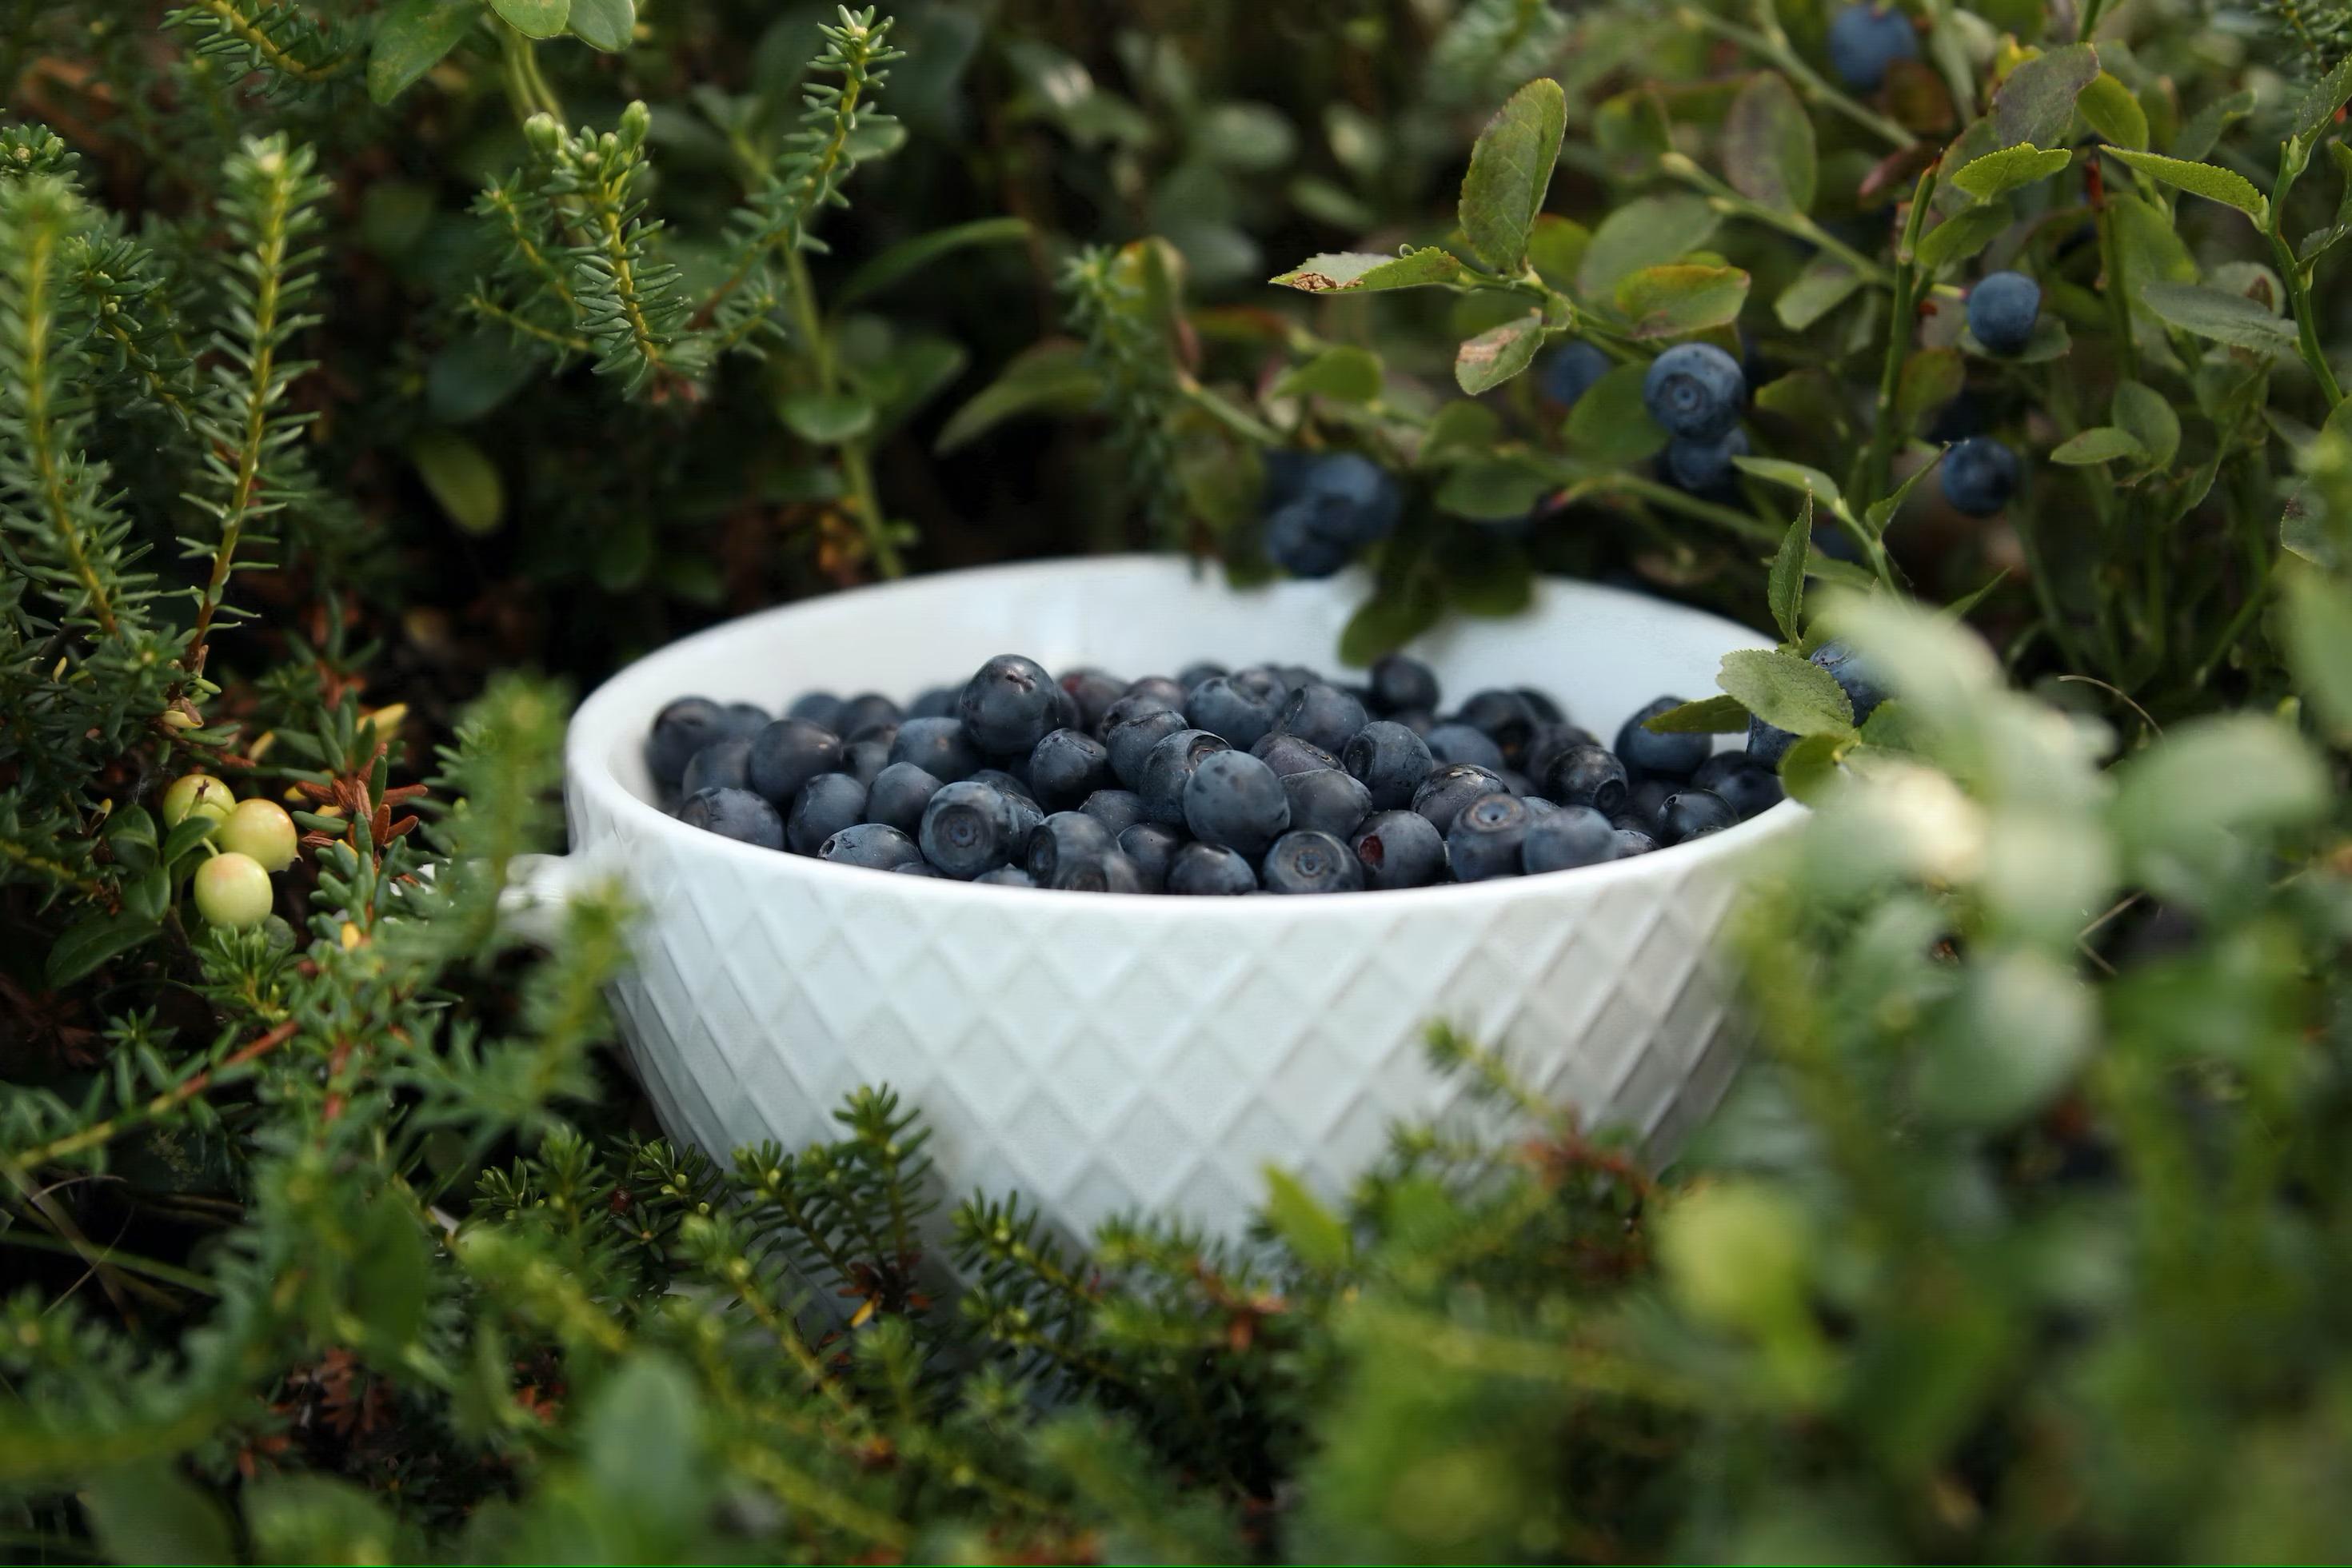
1264, 779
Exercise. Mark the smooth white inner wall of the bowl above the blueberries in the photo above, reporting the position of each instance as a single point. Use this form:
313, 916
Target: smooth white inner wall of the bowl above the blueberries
1598, 652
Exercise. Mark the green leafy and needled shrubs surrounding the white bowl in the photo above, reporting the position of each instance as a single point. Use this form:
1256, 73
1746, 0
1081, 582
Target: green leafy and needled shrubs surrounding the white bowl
375, 375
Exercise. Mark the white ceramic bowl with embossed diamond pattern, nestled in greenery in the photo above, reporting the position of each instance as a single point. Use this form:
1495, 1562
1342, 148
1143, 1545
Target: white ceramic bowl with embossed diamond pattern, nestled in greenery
1100, 1052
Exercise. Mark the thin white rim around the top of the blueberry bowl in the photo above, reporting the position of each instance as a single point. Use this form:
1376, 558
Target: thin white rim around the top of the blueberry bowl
589, 735
